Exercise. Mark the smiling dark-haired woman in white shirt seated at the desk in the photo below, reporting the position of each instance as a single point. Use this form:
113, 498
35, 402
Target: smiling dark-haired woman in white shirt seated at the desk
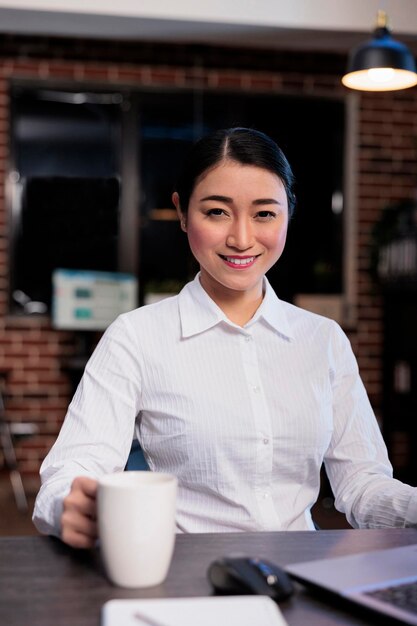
240, 395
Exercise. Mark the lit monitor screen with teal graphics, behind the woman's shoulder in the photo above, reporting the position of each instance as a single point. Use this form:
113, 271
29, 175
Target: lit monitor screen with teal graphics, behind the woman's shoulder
90, 300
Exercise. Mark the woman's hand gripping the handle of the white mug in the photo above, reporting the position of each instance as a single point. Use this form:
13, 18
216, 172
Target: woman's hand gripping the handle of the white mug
78, 520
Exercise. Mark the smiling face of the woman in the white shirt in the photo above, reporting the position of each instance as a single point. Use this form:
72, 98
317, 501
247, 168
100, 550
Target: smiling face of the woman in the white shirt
237, 224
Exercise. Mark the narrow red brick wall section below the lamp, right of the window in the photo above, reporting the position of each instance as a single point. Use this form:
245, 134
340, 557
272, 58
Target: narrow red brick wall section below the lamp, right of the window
387, 173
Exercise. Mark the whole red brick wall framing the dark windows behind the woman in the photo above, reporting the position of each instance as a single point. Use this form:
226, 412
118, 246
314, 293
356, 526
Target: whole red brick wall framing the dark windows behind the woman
31, 352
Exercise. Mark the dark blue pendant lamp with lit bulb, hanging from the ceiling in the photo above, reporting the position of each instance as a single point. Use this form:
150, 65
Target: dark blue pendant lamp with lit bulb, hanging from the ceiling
382, 63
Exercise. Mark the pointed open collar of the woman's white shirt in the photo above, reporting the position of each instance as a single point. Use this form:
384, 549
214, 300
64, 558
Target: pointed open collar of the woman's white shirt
198, 312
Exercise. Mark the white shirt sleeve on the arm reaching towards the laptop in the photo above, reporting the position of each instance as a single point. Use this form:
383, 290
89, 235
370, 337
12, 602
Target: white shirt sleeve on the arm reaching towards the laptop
356, 461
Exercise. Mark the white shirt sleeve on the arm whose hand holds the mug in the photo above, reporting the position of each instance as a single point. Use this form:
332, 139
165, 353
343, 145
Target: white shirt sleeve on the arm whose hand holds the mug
97, 432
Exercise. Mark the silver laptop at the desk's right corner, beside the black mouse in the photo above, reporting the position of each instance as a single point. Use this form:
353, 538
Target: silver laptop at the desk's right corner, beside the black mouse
384, 580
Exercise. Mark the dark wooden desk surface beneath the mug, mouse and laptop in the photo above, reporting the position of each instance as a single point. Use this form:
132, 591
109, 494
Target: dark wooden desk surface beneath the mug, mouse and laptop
45, 583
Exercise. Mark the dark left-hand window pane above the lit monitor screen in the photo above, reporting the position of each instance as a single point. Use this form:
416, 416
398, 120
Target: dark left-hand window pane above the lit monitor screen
66, 209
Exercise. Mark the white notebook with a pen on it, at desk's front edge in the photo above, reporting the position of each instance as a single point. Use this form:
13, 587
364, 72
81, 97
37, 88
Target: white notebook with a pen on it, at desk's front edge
213, 610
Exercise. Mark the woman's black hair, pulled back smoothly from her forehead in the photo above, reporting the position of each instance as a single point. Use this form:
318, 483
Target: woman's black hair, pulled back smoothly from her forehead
242, 145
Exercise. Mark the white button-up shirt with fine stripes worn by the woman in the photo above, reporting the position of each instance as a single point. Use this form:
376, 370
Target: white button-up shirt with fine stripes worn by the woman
244, 417
